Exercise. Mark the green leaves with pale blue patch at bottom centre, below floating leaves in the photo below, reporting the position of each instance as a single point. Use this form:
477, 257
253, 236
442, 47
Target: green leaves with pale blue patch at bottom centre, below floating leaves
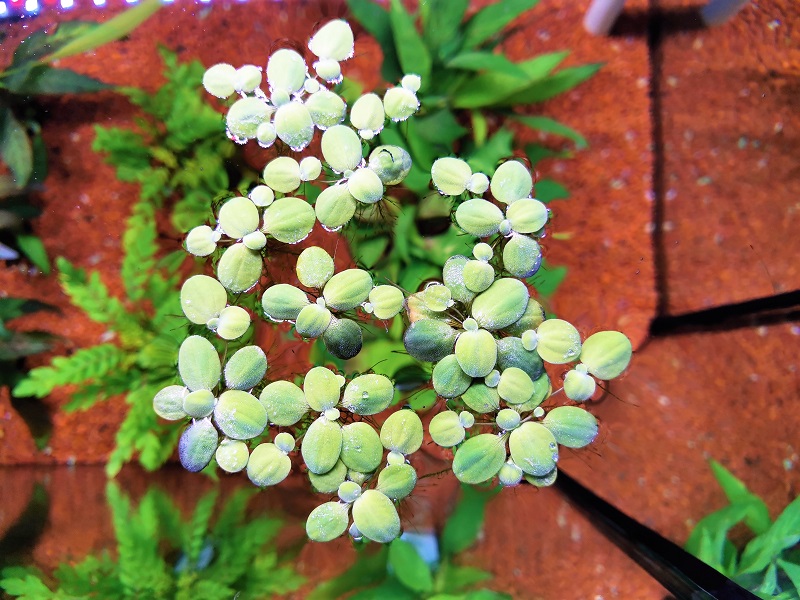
422, 566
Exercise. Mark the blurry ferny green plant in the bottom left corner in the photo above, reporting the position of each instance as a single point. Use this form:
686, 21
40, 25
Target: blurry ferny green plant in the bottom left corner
234, 557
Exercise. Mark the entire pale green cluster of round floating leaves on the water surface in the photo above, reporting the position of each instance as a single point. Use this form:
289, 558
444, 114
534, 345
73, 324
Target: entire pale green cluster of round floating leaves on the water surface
487, 338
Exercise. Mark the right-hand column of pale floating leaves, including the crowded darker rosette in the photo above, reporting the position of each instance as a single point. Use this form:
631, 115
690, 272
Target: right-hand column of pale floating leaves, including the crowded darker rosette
489, 340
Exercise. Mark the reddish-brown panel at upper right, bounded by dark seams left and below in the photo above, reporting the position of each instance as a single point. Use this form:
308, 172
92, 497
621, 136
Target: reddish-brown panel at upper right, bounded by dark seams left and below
731, 180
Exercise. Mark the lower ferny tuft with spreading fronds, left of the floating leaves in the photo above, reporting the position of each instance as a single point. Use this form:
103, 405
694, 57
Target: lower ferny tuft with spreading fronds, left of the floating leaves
140, 360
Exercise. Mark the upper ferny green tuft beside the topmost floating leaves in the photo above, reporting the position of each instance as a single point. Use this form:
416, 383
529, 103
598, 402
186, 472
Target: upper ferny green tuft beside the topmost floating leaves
176, 152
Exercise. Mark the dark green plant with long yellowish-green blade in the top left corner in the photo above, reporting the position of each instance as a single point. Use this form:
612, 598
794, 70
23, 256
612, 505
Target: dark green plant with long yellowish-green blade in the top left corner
32, 75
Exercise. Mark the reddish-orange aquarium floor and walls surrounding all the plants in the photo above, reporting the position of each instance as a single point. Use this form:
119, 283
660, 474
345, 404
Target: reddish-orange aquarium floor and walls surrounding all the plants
685, 200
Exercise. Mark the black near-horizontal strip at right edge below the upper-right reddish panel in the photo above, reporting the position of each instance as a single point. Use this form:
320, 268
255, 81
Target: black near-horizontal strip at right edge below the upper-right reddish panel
772, 310
